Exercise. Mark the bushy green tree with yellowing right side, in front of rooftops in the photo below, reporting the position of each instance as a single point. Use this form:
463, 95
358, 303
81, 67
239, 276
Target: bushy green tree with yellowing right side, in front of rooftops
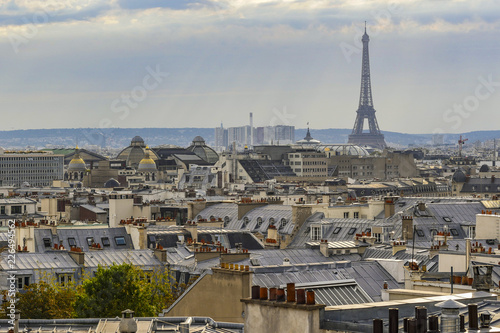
121, 287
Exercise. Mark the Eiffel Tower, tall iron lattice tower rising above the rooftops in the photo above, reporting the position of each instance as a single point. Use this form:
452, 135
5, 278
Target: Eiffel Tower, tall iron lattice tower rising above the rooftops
372, 138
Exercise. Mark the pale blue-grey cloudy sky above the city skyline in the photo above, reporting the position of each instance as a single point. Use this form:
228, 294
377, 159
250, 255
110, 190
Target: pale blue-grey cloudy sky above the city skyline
174, 63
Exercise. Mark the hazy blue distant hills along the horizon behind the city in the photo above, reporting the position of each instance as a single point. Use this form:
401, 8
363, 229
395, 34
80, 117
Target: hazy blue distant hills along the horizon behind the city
120, 137
